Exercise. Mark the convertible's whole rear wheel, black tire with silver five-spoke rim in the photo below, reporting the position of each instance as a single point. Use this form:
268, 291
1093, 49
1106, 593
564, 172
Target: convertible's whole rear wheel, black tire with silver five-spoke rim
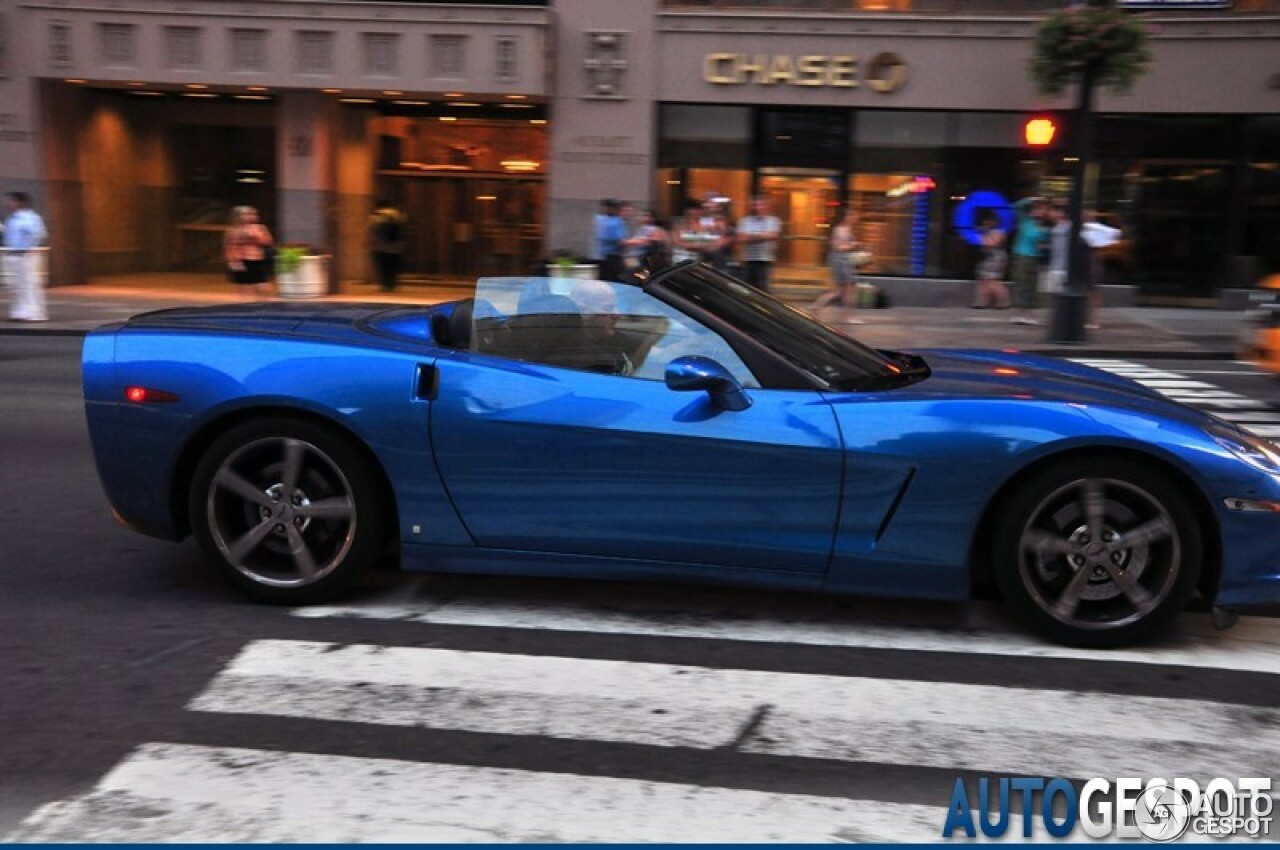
304, 550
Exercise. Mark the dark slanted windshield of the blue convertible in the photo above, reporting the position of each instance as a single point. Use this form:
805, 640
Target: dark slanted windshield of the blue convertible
833, 358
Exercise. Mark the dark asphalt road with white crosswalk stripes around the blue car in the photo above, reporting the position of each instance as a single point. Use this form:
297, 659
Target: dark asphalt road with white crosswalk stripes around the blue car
156, 705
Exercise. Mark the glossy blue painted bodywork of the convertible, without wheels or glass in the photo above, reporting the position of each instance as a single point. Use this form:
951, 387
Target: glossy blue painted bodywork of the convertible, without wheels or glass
524, 469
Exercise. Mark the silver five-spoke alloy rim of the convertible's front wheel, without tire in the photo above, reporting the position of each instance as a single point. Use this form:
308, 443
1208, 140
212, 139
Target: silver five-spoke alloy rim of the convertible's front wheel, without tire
1100, 554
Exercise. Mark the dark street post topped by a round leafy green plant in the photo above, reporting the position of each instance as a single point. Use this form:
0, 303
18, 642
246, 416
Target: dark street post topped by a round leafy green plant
1089, 44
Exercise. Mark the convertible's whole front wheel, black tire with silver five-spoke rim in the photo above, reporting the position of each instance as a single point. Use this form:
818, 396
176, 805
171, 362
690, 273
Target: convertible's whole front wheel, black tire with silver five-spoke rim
1098, 554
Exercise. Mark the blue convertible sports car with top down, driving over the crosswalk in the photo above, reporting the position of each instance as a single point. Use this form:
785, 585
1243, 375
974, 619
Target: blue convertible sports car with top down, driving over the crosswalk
683, 427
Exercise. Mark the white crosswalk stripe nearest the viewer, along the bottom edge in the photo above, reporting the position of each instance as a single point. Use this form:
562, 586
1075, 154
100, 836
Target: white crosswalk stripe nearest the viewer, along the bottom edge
196, 794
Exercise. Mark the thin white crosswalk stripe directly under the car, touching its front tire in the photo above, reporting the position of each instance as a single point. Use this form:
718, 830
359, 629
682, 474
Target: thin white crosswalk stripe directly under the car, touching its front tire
1252, 646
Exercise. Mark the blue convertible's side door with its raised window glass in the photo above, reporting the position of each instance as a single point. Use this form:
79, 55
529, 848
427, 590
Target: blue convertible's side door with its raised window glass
560, 459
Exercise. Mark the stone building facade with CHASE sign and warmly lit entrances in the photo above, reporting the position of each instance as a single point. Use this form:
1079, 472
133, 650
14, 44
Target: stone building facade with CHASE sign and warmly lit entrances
497, 129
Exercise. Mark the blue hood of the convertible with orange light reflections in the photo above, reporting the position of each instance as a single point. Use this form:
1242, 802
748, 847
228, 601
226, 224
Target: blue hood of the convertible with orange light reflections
1017, 376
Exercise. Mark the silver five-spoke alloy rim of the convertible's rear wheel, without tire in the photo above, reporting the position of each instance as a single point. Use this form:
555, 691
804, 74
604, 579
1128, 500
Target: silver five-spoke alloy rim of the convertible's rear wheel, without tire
281, 513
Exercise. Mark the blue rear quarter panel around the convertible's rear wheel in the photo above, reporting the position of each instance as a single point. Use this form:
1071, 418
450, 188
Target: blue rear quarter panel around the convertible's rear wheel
368, 392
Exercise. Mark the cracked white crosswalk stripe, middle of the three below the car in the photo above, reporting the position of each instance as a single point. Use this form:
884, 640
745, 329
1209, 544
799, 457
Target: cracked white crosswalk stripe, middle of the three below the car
940, 725
